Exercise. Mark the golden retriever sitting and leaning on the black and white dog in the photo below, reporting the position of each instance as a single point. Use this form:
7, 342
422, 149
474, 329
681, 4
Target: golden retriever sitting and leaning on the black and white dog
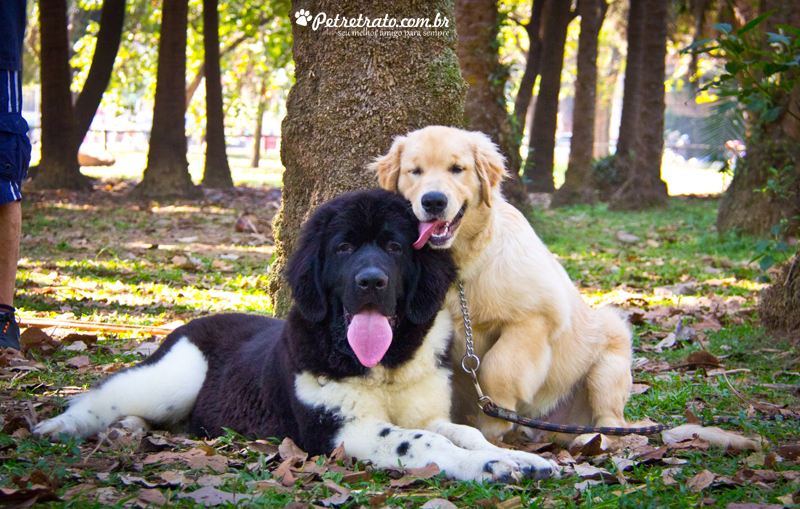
545, 353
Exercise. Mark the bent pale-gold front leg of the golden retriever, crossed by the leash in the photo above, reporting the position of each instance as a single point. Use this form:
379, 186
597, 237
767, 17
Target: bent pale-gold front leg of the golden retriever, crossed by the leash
514, 369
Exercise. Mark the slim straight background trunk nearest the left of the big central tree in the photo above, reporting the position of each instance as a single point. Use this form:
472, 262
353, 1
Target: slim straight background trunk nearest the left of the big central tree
217, 172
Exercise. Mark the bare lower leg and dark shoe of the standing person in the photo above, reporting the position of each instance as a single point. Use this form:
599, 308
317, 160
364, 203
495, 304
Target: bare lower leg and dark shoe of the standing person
10, 225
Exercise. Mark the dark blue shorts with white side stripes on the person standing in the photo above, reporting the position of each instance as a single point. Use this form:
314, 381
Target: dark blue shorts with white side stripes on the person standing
15, 147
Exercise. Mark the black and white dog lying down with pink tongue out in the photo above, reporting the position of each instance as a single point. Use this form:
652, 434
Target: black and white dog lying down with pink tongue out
360, 359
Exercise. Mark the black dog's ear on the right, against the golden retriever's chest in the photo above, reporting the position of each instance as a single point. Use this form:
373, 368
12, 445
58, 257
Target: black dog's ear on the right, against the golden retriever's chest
434, 273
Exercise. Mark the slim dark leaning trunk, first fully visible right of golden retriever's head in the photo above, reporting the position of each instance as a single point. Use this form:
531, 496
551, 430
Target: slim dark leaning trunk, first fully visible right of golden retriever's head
539, 164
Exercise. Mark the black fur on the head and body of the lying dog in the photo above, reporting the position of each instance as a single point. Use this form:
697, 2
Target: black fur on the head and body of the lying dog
253, 360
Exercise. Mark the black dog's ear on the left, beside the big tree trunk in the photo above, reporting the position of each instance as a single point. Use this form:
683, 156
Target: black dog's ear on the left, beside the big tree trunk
305, 269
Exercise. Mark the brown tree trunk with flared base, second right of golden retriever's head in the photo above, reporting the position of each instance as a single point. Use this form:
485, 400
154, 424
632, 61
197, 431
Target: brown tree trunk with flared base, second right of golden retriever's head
578, 183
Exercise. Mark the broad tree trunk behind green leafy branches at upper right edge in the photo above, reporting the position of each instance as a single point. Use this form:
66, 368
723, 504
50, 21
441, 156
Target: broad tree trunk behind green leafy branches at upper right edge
774, 145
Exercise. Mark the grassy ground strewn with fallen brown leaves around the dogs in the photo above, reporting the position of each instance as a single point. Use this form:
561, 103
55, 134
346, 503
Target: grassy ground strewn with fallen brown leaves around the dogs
690, 296
